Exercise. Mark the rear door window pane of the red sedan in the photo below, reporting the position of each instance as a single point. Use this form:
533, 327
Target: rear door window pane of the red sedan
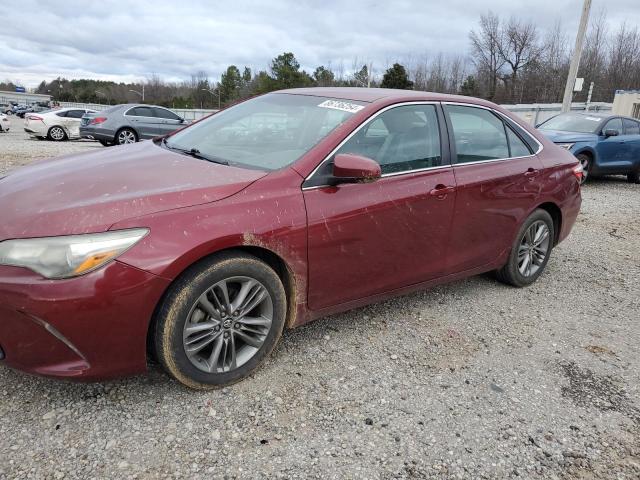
478, 134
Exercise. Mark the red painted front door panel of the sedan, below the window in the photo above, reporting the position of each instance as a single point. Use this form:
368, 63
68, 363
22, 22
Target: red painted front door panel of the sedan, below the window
371, 238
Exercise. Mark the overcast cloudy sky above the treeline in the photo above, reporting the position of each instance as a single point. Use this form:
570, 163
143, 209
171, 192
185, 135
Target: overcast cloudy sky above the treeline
126, 40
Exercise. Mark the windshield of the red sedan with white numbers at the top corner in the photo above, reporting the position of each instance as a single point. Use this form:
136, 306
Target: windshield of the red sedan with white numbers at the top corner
268, 132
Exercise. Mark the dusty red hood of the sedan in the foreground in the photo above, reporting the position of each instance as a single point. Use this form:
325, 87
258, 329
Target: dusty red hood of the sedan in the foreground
89, 192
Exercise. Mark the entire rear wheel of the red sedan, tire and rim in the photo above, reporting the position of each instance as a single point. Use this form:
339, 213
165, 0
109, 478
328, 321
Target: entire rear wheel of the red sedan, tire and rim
530, 251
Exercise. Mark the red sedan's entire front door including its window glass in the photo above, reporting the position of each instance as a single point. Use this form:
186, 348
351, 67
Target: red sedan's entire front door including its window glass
372, 238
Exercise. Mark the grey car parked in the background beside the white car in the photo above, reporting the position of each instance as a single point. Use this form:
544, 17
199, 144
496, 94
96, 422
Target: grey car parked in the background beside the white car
129, 123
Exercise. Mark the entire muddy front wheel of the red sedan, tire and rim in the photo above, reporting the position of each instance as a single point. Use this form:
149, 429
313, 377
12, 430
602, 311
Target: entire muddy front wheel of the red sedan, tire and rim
220, 320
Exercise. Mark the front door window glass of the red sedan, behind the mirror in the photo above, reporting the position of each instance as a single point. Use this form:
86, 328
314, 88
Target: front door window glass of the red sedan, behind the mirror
401, 139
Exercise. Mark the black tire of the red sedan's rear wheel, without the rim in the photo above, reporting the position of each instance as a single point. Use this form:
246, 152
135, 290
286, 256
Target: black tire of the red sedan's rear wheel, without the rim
510, 273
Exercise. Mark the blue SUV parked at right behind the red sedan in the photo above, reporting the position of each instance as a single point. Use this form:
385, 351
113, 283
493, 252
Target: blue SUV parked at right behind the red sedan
604, 144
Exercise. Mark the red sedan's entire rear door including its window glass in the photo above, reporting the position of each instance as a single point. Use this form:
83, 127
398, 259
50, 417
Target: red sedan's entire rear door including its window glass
495, 173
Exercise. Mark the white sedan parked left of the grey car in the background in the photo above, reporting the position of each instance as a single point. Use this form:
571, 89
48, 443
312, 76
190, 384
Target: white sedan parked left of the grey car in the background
60, 124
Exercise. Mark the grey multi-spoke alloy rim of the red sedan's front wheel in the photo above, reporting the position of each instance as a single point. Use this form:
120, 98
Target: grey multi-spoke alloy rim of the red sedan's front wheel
228, 325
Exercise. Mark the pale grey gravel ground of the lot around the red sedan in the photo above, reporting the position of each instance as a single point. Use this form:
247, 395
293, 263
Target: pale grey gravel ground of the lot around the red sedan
468, 380
